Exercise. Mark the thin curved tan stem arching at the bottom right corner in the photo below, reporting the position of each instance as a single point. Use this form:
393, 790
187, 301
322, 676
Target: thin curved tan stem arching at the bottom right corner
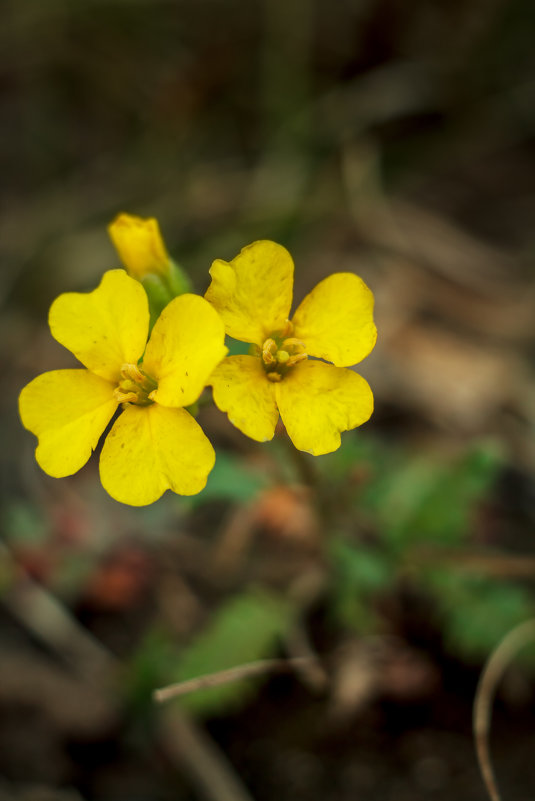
493, 671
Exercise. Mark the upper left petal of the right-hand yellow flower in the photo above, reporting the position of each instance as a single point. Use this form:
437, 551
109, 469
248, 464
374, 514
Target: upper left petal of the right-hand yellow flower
253, 292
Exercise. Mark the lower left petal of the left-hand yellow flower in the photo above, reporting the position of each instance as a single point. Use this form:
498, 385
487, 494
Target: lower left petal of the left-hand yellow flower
67, 410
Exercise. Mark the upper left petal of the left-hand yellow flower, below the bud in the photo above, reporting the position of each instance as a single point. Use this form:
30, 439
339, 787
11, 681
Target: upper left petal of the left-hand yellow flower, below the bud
105, 328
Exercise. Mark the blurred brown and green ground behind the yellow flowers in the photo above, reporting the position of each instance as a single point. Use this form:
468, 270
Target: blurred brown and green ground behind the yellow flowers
392, 139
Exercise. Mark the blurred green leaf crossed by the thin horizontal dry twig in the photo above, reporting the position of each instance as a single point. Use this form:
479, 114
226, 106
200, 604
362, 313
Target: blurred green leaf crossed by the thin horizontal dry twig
246, 628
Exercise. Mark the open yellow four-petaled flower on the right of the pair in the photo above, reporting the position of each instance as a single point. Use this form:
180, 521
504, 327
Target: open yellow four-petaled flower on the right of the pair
253, 295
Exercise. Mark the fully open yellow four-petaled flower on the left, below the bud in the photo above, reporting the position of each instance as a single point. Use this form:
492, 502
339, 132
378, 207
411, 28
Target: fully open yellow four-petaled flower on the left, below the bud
155, 444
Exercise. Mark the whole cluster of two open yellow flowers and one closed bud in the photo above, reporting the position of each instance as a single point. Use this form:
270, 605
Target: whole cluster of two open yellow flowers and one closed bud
148, 381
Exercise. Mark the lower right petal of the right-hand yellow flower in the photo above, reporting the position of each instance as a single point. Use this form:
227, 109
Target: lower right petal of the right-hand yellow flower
317, 401
